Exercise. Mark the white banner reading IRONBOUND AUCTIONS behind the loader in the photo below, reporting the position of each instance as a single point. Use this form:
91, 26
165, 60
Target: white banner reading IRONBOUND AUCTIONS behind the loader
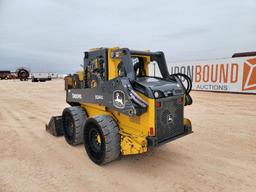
231, 74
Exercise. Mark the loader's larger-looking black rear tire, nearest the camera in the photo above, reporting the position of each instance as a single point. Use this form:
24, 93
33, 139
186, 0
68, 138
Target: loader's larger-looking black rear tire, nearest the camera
108, 149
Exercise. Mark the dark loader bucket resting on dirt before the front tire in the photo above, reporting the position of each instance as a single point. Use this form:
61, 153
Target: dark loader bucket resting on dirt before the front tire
55, 126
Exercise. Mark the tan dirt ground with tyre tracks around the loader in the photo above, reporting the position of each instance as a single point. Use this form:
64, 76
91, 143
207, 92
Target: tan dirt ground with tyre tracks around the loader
219, 156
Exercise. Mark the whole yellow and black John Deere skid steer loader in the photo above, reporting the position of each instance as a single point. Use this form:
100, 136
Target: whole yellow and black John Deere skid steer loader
118, 107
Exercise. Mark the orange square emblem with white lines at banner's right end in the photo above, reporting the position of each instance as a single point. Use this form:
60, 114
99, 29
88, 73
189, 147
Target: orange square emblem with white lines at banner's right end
249, 75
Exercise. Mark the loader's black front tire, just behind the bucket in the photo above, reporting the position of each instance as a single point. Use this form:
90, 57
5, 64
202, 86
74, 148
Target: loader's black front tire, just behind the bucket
73, 122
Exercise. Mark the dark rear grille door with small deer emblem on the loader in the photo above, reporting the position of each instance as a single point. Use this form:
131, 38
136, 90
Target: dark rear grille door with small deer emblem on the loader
169, 118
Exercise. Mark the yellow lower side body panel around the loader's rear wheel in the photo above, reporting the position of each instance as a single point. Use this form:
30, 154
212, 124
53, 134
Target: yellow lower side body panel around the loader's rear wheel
133, 130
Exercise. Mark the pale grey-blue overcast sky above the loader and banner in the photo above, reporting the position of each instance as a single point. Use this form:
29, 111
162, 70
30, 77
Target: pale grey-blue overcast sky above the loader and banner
51, 35
